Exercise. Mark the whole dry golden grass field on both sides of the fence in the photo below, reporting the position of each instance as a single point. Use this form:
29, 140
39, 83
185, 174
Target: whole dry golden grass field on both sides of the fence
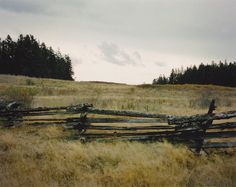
42, 156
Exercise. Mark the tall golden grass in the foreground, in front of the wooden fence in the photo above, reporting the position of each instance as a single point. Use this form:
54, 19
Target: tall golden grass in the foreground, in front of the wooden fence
40, 157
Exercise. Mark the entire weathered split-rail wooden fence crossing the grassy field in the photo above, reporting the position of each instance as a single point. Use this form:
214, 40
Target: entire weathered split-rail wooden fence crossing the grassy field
91, 124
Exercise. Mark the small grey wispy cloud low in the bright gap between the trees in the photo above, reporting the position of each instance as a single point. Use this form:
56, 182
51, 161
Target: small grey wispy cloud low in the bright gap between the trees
113, 54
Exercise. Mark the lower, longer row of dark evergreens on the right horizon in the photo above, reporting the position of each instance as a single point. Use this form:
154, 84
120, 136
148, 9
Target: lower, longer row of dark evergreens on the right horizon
223, 74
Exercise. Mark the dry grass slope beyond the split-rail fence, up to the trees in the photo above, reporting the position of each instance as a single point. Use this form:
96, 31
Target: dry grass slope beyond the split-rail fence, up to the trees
171, 99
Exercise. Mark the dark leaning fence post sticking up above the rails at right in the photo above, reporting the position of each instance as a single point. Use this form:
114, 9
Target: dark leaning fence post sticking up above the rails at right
206, 125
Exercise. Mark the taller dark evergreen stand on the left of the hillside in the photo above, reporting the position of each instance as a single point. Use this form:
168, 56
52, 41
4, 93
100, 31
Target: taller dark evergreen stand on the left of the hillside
27, 56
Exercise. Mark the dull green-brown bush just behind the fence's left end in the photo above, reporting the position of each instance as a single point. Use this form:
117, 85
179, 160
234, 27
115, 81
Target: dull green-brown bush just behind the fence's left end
22, 95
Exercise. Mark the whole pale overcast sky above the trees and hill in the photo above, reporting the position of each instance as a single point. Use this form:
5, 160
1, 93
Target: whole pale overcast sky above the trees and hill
129, 41
